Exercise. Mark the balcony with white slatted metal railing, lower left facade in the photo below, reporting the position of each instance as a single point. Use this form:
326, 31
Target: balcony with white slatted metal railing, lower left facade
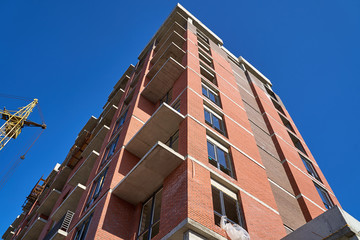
60, 230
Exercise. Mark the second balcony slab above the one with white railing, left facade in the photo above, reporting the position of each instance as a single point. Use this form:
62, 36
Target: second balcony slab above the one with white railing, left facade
82, 173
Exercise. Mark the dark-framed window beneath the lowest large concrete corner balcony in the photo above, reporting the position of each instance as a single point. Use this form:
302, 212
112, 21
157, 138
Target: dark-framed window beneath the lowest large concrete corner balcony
150, 217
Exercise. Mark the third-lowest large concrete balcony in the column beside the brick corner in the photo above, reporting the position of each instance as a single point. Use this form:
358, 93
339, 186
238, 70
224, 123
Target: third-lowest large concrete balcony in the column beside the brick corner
163, 80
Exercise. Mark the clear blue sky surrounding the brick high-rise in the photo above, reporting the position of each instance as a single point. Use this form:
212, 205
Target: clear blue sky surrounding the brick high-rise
69, 54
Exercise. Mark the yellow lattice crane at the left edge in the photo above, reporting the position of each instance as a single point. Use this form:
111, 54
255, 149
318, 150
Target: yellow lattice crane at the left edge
15, 121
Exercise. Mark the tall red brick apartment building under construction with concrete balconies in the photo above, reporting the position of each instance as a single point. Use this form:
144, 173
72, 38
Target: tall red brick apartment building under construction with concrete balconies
187, 135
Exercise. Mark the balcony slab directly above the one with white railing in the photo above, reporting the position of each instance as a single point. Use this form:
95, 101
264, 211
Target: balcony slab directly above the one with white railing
70, 203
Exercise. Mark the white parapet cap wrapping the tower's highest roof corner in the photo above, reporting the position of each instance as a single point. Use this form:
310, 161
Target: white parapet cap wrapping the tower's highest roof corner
186, 14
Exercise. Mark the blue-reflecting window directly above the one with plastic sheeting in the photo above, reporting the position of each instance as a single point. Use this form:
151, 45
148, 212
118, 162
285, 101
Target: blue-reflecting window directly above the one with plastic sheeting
219, 157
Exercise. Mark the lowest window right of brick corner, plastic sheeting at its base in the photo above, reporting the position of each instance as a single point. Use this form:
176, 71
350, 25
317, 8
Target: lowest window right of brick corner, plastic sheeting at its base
225, 204
